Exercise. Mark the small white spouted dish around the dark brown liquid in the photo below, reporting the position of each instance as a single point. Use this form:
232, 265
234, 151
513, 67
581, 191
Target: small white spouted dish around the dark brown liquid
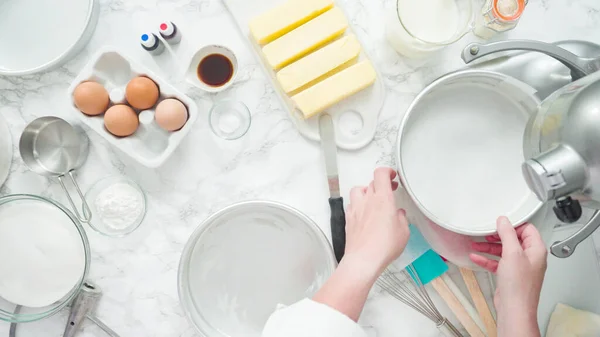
191, 74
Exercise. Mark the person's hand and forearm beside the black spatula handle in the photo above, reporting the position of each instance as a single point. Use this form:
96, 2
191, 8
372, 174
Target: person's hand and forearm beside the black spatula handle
376, 234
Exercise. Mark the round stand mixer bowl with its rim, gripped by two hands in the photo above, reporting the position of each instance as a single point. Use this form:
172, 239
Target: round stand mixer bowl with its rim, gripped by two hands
460, 150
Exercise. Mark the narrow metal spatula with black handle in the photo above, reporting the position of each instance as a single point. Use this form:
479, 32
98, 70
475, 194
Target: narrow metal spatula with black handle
336, 203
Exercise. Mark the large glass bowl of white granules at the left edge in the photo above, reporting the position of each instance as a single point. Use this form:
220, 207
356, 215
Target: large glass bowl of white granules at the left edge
46, 257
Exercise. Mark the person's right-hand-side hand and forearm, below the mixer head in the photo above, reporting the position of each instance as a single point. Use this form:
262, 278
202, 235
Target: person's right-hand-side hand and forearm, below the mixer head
520, 272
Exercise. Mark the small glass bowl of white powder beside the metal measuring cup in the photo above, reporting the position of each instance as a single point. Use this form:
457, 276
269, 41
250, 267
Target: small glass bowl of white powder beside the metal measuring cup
118, 206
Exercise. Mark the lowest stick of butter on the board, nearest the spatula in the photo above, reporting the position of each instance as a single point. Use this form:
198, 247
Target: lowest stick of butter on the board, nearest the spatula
336, 88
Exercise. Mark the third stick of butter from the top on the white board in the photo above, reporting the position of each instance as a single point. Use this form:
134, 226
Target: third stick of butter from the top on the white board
319, 65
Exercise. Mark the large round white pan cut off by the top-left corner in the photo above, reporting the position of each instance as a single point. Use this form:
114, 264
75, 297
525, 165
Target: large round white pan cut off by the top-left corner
37, 35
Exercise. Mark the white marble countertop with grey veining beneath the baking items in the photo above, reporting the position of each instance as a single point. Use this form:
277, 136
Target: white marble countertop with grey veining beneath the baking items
273, 161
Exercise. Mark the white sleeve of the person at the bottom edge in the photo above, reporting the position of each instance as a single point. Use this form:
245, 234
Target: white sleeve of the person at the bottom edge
311, 319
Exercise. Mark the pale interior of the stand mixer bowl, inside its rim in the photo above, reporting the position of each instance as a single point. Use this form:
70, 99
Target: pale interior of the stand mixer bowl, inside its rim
463, 155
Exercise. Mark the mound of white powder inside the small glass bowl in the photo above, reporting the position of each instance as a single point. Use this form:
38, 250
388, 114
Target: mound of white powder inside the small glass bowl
119, 205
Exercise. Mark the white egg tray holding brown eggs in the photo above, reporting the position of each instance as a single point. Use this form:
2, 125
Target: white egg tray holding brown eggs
150, 145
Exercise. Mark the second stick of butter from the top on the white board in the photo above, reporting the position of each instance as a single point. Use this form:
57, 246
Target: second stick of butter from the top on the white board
306, 38
